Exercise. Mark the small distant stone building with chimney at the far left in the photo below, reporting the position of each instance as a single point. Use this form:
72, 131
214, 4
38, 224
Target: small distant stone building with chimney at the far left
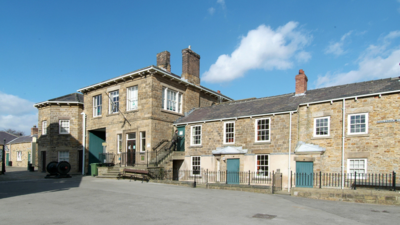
23, 150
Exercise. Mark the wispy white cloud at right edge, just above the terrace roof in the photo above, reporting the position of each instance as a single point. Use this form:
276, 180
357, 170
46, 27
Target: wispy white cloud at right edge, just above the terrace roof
376, 62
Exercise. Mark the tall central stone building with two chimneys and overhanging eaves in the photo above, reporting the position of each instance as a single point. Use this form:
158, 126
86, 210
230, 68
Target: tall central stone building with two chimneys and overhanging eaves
128, 117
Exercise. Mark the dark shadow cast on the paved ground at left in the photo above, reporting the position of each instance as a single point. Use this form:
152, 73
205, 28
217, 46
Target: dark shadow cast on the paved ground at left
19, 181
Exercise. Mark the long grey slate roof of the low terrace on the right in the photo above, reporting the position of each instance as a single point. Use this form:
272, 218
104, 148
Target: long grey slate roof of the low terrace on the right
289, 102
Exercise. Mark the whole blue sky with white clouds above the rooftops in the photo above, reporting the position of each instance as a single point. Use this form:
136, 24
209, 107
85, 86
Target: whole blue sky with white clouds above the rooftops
247, 48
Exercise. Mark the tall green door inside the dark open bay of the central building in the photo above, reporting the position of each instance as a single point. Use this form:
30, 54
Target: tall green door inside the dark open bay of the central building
96, 139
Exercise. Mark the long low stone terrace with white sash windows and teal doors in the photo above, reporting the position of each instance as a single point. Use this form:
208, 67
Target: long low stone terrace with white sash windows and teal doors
299, 132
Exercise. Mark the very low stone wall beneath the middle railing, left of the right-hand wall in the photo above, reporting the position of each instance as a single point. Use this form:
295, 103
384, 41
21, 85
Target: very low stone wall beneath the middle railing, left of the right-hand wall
232, 187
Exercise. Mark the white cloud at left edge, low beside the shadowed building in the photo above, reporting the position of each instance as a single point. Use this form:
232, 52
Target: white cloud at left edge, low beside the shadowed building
17, 113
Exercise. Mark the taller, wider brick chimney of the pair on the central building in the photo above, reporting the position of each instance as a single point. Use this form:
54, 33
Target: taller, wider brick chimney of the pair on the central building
191, 66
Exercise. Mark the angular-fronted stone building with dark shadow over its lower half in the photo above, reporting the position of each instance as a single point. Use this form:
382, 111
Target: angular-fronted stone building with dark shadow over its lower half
60, 131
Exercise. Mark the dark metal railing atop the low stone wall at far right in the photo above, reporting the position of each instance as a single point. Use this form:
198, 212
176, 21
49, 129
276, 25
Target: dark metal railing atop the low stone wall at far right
350, 180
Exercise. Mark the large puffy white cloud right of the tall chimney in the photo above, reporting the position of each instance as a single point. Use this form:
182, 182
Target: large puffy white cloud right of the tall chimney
262, 48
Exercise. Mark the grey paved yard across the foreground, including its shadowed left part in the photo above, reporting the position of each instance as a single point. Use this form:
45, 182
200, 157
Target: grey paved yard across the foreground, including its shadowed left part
27, 198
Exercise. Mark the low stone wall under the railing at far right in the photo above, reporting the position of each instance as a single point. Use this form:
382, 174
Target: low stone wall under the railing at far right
347, 195
